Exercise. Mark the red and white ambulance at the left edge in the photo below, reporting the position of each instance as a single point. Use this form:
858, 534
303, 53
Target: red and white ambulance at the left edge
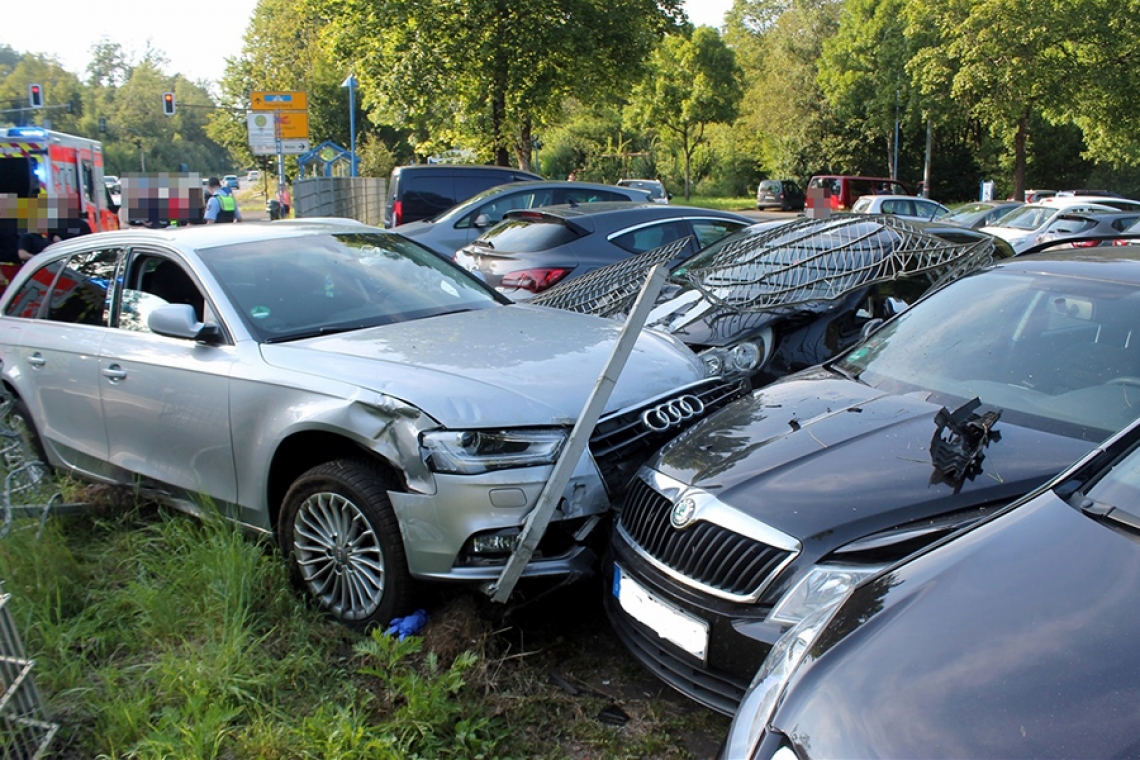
39, 166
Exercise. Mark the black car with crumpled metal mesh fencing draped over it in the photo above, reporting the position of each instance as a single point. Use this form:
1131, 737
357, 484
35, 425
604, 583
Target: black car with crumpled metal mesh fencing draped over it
777, 298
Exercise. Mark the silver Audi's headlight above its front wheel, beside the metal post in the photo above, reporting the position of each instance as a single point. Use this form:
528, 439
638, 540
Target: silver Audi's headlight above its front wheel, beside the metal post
469, 453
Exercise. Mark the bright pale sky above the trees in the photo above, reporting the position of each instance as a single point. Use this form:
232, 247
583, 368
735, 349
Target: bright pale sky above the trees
197, 43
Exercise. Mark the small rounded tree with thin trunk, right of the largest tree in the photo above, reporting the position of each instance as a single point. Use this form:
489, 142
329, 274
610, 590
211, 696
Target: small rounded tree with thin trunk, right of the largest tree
693, 83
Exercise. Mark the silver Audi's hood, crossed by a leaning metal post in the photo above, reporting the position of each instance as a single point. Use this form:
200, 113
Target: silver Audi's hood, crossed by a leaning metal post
495, 367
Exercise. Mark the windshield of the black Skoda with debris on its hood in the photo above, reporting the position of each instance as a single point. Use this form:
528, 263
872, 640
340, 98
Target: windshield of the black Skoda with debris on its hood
1055, 354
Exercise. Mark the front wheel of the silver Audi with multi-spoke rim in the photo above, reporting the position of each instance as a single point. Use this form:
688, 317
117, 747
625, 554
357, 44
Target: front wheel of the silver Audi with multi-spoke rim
343, 543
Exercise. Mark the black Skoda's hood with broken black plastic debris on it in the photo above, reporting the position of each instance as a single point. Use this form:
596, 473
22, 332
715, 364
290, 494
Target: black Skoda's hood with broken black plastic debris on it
821, 457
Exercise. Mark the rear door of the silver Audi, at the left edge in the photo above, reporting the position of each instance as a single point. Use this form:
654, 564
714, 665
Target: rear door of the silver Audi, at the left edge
61, 321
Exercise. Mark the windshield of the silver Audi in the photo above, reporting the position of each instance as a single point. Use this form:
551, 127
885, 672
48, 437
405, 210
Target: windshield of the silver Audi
290, 289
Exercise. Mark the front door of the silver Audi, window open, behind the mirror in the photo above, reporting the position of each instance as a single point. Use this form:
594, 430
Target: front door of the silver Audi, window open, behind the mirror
167, 399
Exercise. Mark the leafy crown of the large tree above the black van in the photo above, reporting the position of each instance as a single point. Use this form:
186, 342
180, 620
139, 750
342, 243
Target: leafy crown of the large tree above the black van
488, 75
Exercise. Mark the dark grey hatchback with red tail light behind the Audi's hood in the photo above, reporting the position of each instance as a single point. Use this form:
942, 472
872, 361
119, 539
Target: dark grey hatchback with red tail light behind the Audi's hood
531, 251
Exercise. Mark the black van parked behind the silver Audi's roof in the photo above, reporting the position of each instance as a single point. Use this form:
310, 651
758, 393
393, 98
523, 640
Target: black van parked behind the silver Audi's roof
425, 191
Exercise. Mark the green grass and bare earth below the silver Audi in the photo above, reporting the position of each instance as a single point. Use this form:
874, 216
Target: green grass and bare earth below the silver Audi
158, 635
